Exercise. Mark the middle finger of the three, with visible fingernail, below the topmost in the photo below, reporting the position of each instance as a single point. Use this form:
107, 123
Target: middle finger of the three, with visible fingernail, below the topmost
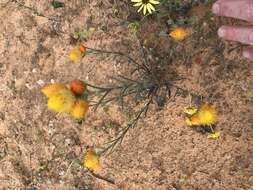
237, 33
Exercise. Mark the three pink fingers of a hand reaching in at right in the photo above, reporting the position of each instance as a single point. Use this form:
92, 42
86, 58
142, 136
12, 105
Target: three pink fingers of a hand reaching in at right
240, 9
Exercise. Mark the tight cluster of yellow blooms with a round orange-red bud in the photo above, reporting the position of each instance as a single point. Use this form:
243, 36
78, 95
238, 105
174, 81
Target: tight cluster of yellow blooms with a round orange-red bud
64, 99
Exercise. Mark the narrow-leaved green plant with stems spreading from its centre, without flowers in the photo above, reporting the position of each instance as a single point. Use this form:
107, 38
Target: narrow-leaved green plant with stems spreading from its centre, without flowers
142, 88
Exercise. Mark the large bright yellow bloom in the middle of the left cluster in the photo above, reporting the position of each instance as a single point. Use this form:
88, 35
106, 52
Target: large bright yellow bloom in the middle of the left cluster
62, 101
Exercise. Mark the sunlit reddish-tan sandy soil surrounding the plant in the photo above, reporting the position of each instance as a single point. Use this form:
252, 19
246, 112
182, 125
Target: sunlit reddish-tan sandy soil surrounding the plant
42, 150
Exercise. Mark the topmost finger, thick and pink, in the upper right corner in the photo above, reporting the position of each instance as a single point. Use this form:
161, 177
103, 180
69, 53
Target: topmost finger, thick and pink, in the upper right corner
241, 9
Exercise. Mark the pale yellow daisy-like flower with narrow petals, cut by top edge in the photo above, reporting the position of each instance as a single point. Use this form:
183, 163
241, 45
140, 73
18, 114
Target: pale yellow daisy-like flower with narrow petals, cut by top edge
145, 5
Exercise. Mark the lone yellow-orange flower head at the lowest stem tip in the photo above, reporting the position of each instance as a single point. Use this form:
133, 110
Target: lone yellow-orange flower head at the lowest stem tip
91, 160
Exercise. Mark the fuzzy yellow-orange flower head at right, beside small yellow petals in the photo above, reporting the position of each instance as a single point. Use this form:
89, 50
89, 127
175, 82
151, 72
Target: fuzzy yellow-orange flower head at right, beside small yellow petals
206, 115
